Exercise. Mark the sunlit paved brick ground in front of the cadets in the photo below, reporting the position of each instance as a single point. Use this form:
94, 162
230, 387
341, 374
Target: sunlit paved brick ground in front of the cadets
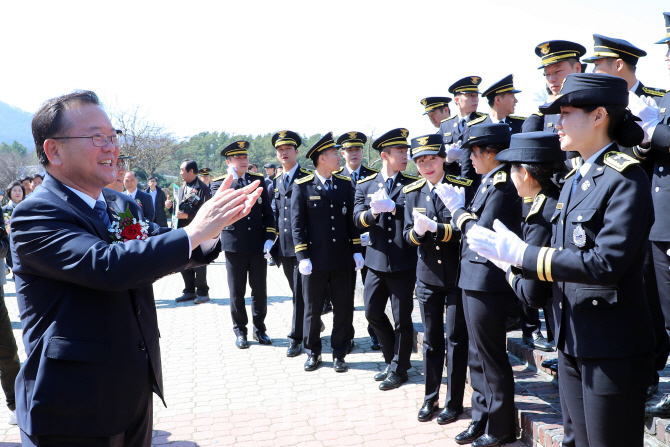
220, 395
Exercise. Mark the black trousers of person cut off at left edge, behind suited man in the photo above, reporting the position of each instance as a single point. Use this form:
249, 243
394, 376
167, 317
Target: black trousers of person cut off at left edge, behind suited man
9, 354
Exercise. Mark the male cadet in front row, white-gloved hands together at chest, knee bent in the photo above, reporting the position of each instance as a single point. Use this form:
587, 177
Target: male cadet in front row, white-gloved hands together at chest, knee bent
391, 262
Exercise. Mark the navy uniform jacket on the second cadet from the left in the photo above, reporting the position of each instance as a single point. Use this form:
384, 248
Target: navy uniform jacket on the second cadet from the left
281, 207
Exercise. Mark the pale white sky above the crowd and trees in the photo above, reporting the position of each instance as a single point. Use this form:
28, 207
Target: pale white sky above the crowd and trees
256, 67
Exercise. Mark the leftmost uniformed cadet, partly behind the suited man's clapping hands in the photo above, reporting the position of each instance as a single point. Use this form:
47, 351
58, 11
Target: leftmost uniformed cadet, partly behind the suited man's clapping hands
244, 244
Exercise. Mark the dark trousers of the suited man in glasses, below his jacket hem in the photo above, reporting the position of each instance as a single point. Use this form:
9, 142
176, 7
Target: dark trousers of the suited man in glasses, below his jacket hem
137, 435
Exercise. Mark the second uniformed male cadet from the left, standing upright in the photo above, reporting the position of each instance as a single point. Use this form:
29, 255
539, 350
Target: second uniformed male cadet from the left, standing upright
287, 143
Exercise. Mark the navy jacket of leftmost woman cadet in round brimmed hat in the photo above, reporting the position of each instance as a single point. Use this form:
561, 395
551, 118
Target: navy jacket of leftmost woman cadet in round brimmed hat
496, 198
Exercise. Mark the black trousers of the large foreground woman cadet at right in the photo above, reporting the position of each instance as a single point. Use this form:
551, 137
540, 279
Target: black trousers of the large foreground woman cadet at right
602, 400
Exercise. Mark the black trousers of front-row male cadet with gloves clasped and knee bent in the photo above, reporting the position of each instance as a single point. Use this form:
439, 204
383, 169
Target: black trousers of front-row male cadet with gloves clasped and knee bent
396, 342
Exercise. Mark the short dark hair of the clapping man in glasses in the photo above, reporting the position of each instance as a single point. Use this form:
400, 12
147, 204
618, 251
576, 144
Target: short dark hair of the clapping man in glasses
48, 120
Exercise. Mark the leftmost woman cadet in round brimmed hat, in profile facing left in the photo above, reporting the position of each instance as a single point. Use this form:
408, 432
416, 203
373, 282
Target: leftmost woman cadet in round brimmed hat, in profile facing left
487, 297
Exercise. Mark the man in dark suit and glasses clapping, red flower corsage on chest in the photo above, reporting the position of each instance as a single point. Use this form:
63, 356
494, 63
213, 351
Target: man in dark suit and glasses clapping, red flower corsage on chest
88, 314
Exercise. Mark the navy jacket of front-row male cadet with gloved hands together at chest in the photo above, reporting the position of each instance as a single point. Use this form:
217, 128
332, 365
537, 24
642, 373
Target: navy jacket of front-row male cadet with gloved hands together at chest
388, 251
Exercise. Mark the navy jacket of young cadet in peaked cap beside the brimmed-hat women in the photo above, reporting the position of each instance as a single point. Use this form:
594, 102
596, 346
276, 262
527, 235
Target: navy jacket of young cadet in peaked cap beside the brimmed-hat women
439, 252
